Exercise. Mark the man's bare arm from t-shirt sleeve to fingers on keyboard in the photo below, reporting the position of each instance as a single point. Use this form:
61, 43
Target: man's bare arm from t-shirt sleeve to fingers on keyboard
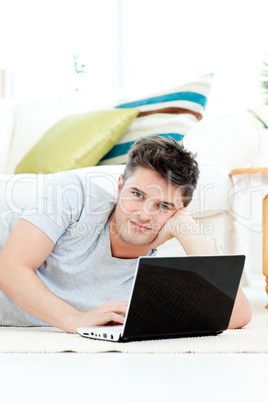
26, 248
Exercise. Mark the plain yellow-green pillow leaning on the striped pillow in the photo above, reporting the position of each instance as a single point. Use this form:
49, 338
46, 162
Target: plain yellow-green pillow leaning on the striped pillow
77, 141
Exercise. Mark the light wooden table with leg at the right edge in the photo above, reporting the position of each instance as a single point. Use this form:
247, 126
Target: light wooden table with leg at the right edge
264, 172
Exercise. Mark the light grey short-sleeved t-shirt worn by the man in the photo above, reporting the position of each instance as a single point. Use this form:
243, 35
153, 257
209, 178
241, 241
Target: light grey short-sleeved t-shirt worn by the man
74, 213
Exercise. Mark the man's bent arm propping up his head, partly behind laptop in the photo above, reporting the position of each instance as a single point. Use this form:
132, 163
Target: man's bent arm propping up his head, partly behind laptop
182, 226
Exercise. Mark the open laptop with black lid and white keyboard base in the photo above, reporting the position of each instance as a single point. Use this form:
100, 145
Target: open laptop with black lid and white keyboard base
176, 297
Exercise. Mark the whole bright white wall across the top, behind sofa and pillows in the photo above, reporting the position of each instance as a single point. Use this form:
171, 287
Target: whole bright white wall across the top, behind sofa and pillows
135, 45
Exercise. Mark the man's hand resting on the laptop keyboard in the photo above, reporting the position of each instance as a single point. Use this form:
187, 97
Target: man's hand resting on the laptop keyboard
102, 315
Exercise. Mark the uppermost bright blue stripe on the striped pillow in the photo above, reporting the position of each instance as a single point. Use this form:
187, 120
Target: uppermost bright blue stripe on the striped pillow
184, 96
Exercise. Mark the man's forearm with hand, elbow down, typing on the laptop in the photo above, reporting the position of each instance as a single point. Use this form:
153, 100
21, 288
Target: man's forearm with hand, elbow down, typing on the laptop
24, 287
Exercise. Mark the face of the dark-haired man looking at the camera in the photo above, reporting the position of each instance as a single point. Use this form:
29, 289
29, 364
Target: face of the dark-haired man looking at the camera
145, 202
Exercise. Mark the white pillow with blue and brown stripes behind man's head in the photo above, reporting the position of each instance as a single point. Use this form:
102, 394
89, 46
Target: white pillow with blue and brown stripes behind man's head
168, 114
